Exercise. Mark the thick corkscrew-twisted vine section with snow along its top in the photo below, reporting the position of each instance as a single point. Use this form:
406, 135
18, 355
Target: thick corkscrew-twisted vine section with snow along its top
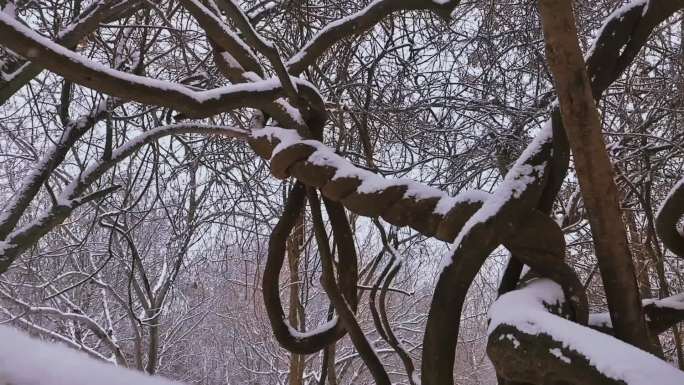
402, 202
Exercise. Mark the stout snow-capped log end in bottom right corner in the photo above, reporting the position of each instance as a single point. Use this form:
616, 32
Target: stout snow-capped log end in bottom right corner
529, 343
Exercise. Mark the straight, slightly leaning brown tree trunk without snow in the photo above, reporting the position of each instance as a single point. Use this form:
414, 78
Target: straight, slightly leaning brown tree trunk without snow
594, 171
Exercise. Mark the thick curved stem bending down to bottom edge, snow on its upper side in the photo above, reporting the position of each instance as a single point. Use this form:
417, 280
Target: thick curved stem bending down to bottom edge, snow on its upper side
497, 220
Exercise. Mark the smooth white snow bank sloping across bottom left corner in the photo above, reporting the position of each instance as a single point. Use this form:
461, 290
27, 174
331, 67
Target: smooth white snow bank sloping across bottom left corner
27, 361
